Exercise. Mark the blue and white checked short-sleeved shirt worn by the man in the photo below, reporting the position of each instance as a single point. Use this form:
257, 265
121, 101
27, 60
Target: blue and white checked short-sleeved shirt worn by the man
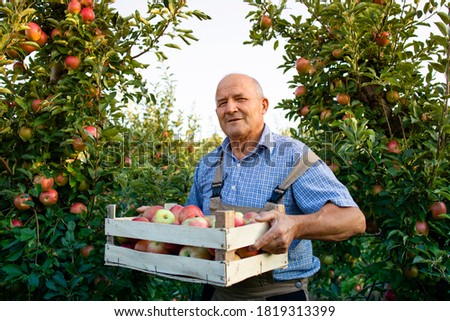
250, 182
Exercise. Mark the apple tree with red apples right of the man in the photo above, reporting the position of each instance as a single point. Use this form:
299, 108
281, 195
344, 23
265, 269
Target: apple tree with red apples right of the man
370, 95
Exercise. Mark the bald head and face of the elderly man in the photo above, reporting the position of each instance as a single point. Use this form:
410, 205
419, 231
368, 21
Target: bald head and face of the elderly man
240, 108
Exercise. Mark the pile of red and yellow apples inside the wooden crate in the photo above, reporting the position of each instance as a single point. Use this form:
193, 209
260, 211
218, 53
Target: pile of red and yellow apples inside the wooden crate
189, 215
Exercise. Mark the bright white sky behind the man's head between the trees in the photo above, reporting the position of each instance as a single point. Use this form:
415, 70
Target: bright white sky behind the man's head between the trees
220, 50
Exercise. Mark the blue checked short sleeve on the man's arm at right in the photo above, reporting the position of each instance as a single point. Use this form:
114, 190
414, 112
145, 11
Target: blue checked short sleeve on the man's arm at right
317, 186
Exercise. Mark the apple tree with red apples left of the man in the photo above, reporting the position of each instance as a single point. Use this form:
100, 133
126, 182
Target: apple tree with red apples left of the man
68, 70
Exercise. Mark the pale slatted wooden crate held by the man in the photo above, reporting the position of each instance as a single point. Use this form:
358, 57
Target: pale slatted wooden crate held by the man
223, 271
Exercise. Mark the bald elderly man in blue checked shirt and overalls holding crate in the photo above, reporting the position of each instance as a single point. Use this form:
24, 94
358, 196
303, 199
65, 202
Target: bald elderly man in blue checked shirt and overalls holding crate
255, 169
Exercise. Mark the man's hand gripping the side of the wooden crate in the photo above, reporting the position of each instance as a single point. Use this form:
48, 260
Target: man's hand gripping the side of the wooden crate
280, 234
